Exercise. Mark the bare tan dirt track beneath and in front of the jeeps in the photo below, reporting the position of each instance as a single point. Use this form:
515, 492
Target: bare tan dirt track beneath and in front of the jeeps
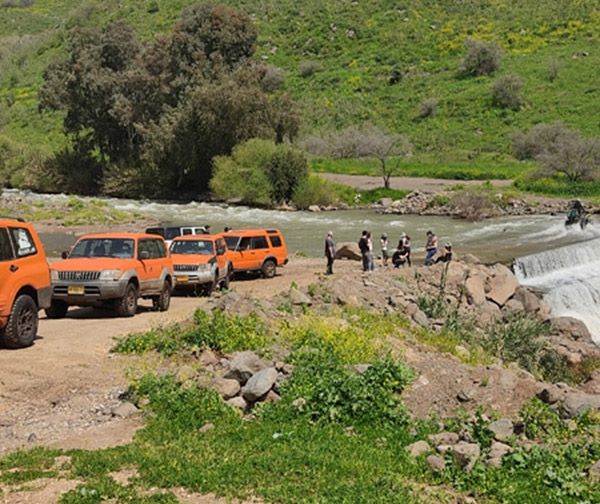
61, 390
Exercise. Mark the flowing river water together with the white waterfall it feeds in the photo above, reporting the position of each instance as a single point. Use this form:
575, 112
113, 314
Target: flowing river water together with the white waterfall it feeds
563, 263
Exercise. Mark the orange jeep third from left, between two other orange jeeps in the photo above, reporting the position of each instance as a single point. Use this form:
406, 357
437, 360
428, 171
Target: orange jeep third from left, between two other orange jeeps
202, 262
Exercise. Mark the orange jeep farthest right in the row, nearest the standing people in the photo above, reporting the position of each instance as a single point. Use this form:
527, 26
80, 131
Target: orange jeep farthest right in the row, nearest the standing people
256, 250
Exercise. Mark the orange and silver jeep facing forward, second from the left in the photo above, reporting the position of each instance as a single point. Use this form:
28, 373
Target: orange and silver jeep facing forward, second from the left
112, 270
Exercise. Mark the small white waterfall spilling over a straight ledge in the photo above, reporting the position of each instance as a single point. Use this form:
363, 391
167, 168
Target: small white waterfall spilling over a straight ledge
569, 278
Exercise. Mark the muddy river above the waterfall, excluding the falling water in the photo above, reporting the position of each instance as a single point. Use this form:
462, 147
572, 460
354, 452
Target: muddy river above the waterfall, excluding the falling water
500, 239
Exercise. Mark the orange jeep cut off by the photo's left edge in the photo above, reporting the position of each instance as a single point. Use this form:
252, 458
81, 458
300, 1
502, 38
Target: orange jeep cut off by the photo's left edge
24, 282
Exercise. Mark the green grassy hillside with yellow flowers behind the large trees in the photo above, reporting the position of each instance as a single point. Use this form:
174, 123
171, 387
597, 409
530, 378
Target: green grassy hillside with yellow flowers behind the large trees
356, 46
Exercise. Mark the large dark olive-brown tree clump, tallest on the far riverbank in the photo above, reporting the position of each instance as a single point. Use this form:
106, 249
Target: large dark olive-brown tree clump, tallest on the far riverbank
163, 110
